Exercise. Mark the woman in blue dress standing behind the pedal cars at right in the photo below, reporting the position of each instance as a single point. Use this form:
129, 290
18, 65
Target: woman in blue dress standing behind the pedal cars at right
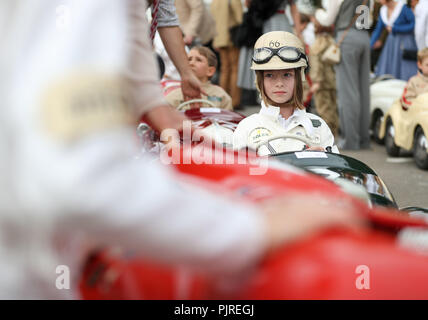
399, 20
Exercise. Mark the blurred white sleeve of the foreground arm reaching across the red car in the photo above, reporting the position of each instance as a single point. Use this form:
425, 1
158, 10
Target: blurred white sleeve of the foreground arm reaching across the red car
138, 204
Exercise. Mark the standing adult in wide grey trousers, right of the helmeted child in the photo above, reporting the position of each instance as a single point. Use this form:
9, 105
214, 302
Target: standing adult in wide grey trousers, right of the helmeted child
352, 73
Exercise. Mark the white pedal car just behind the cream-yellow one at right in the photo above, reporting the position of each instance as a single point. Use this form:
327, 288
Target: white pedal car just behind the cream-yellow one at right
383, 92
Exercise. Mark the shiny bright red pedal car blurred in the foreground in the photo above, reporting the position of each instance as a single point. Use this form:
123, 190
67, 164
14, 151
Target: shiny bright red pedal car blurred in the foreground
336, 264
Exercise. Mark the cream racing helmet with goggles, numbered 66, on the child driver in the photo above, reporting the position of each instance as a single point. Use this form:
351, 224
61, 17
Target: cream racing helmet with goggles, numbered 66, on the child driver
279, 50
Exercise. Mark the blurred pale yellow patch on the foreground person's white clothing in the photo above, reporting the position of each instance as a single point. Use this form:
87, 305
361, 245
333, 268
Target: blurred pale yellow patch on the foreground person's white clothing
83, 103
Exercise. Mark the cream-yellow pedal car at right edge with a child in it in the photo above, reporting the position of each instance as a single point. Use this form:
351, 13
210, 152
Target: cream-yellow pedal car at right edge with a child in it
407, 130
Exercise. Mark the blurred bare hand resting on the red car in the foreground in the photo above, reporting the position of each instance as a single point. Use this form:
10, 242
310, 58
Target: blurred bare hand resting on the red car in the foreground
300, 215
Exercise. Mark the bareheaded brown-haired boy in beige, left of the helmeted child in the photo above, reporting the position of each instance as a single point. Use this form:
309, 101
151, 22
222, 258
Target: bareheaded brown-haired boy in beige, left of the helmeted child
203, 63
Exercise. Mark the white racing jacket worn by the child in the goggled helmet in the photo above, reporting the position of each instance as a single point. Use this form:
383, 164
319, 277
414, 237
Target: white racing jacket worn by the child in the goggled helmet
269, 123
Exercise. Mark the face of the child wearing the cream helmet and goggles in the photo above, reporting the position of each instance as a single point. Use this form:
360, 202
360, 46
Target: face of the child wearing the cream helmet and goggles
279, 85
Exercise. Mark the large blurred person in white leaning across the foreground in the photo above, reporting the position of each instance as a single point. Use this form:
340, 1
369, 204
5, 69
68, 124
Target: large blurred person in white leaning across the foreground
76, 74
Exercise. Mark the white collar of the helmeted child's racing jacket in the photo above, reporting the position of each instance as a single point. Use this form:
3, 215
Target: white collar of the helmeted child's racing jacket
298, 117
